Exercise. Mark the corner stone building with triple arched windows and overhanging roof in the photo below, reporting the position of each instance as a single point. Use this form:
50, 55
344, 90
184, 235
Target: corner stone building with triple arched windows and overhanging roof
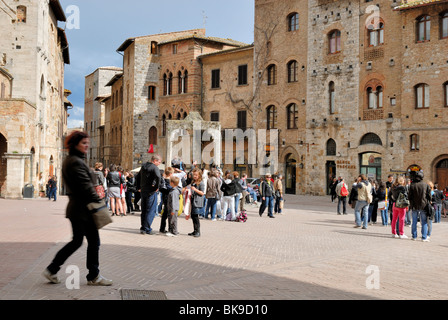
146, 60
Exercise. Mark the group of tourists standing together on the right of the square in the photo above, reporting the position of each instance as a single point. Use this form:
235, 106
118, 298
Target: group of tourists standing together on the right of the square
405, 201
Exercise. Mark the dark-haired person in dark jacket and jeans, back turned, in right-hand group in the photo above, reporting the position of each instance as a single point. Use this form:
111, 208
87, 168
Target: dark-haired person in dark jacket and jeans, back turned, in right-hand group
419, 197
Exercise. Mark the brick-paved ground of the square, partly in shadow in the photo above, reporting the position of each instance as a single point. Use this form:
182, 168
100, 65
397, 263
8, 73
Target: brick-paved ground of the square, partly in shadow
308, 252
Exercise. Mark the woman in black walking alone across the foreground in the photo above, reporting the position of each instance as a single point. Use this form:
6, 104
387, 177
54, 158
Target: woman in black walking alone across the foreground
79, 181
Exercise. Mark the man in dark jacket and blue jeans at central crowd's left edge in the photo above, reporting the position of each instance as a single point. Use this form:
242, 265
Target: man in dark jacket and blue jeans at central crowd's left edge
150, 180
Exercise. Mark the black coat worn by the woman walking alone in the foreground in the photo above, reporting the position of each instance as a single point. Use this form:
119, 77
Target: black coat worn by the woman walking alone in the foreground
79, 181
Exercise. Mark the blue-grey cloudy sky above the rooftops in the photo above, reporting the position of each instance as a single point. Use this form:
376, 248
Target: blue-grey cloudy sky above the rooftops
96, 28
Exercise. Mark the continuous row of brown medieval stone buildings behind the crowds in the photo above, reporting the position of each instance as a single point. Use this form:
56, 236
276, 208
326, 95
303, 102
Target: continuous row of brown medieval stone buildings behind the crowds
349, 86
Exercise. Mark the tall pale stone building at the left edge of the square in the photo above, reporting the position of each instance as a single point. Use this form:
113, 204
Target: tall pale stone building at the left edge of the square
33, 51
